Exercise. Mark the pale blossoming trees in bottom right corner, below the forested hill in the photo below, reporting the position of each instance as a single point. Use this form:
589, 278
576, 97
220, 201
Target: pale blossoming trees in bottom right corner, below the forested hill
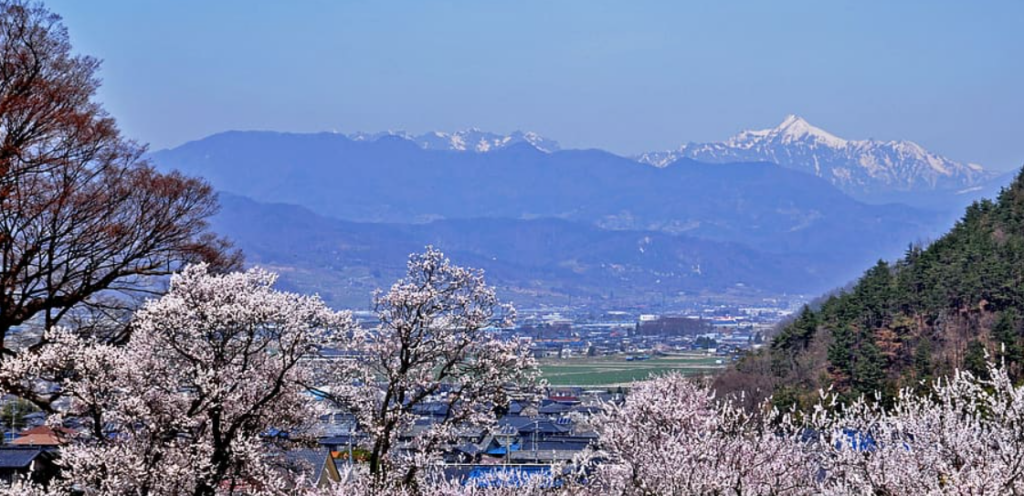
966, 436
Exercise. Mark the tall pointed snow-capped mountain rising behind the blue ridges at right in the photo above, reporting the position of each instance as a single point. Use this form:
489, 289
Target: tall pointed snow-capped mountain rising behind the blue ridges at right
868, 170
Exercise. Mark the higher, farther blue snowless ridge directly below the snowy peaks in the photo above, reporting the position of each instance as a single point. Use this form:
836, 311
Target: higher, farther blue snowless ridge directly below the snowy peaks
393, 180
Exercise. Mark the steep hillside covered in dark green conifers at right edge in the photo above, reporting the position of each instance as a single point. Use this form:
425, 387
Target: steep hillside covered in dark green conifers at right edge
936, 310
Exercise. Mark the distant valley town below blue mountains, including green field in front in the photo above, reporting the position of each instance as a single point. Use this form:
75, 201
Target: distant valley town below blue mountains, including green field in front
600, 348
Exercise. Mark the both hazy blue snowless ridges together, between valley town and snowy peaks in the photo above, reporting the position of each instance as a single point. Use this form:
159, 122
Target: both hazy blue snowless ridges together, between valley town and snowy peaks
784, 231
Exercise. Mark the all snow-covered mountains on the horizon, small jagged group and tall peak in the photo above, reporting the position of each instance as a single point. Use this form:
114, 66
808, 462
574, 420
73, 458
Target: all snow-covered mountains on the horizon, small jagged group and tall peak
874, 172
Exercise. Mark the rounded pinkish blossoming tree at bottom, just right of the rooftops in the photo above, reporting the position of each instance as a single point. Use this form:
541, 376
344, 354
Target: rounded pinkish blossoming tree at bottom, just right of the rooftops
671, 437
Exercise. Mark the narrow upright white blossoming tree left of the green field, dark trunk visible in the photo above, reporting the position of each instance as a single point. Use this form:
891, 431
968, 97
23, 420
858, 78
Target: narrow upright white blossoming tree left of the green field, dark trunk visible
436, 343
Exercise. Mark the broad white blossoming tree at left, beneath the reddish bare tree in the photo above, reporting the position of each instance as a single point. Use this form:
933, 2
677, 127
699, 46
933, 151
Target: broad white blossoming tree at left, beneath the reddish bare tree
181, 409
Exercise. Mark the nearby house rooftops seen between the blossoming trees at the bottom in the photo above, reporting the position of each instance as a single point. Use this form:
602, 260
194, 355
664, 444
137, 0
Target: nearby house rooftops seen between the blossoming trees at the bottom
531, 436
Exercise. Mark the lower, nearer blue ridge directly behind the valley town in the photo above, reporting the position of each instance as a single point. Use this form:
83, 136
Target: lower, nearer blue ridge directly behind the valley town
531, 262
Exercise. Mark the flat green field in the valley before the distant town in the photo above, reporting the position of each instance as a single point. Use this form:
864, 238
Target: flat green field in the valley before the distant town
615, 371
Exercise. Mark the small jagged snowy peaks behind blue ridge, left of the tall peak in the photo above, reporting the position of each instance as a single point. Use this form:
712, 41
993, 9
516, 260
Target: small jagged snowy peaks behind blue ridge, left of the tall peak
467, 141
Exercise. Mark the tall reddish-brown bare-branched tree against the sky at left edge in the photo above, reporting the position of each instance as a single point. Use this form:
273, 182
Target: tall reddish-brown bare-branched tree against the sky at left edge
86, 223
